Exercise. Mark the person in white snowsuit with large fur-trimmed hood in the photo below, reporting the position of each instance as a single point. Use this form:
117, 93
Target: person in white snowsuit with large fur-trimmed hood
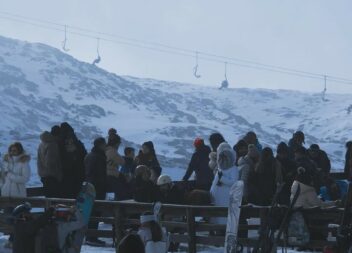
225, 177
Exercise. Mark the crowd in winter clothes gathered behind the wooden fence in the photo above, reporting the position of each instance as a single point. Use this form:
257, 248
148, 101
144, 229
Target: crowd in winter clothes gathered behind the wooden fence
64, 164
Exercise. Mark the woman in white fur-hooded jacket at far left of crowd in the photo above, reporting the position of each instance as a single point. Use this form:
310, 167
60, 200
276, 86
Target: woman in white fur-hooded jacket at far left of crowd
17, 172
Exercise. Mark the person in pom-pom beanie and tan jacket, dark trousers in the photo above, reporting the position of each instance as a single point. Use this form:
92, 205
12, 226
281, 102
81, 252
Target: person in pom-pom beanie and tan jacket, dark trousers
116, 181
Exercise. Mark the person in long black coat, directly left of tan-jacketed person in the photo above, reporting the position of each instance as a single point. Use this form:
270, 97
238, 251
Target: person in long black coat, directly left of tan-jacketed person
95, 168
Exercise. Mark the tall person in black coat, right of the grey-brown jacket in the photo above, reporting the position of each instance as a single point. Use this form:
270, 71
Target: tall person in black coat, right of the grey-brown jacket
73, 153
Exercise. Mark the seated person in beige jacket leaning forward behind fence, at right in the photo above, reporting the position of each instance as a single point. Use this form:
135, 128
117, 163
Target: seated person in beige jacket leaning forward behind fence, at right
308, 197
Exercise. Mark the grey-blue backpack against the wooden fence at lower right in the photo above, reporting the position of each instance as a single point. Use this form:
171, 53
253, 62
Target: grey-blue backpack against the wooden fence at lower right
298, 233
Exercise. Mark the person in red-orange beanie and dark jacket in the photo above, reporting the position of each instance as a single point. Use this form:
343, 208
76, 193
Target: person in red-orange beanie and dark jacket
199, 164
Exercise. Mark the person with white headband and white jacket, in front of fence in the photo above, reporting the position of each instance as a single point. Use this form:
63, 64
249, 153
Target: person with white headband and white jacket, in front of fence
153, 236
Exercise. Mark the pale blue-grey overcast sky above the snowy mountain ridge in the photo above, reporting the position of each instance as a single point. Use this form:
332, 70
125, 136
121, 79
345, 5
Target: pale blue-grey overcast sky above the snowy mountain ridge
310, 35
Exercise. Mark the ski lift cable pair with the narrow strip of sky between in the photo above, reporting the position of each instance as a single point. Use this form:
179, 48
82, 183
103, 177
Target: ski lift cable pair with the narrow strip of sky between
204, 56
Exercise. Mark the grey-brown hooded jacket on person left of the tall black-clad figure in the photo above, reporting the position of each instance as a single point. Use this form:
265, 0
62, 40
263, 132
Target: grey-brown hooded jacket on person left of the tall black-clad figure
49, 162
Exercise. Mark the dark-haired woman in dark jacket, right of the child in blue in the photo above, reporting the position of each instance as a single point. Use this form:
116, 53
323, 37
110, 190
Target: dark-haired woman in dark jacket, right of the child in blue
147, 157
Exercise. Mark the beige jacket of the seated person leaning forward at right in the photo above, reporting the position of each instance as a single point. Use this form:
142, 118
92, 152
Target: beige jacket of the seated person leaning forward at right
308, 197
